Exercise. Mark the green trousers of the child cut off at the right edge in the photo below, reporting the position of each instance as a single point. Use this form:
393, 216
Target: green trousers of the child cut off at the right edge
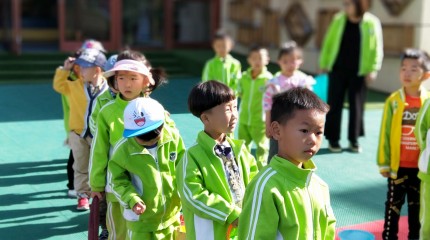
425, 210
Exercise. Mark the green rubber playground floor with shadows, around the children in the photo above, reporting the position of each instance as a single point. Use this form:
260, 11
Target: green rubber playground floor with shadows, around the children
33, 201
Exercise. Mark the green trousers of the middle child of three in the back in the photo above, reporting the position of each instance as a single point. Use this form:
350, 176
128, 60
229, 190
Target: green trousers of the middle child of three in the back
258, 135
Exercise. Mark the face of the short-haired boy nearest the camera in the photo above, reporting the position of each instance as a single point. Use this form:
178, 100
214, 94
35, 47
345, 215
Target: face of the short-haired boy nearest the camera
300, 137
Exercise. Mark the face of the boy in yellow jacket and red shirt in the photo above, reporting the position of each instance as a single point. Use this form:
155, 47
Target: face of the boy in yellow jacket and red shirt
411, 73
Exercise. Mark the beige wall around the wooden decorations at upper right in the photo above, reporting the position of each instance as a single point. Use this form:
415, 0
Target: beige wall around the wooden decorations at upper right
416, 14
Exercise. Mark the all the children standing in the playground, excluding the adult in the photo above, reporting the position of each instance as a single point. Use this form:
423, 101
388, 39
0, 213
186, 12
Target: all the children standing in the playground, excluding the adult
128, 152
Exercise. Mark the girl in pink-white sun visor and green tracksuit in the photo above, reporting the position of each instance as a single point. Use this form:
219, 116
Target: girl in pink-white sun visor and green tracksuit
134, 79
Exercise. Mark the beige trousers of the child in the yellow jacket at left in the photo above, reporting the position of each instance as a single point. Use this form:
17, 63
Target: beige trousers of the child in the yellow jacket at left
81, 154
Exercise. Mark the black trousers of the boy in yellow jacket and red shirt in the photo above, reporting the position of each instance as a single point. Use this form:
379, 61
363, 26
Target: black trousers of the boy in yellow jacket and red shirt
406, 184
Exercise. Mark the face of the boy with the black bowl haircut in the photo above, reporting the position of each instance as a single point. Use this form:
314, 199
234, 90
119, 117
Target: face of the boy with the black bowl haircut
221, 119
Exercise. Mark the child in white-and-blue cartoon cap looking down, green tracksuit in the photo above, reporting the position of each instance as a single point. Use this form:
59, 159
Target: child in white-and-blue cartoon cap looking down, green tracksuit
142, 171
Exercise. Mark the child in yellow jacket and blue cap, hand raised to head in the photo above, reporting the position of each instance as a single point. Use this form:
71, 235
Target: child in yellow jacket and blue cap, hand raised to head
81, 92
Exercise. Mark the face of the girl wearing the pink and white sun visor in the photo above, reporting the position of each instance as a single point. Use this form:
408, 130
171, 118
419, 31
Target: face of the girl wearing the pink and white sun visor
131, 84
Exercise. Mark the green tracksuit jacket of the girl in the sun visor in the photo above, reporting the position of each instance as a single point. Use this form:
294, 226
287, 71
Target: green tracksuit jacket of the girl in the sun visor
109, 129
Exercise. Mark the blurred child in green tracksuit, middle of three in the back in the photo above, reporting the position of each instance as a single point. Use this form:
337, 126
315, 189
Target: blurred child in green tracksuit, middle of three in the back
251, 89
